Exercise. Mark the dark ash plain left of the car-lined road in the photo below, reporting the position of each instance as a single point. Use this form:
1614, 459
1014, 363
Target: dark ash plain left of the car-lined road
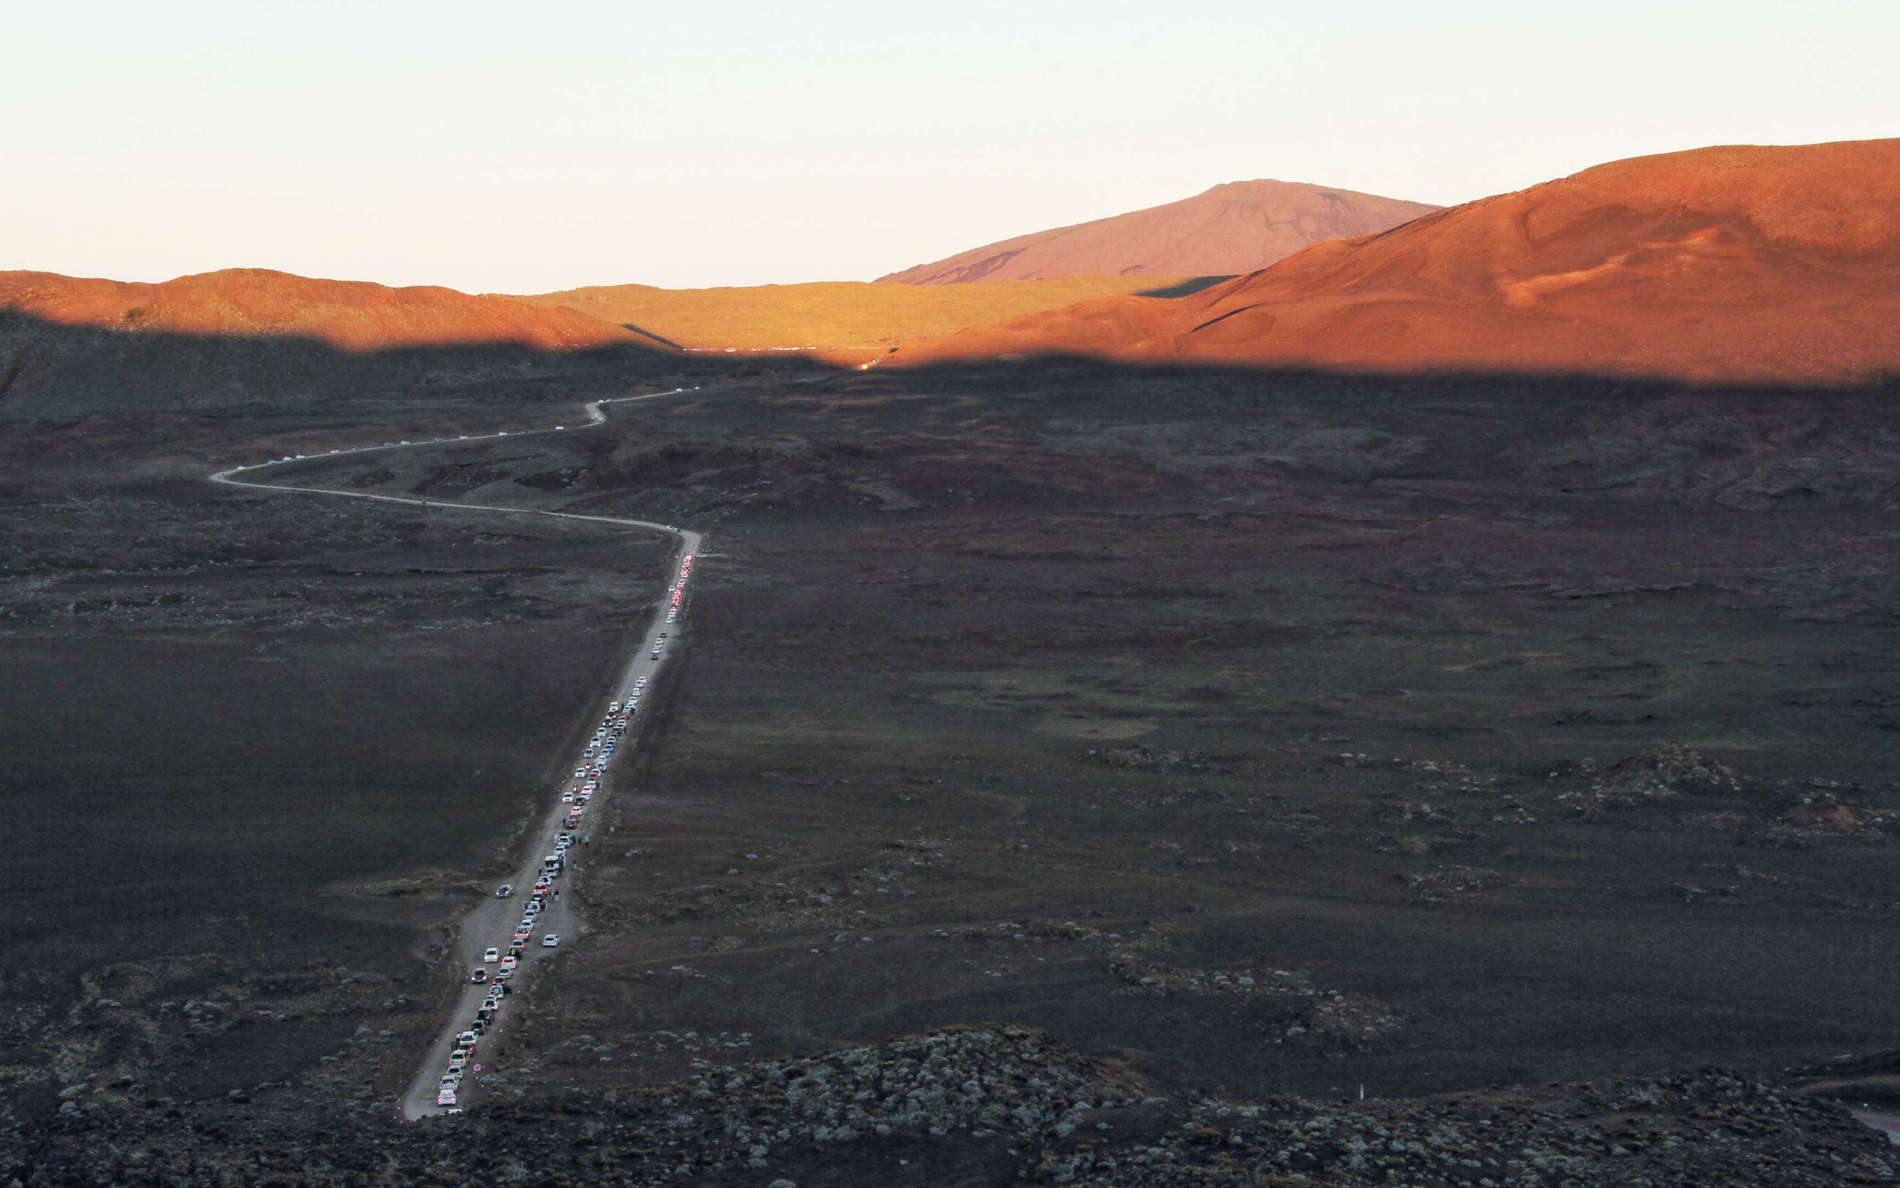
261, 748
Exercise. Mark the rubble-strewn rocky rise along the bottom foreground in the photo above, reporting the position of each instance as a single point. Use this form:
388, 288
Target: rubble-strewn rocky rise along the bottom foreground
970, 1105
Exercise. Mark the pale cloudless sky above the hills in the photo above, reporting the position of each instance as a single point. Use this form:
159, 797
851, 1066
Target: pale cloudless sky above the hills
522, 149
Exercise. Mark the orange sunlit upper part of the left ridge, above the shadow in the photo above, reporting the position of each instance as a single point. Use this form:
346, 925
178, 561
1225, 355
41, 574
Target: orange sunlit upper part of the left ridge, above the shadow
354, 316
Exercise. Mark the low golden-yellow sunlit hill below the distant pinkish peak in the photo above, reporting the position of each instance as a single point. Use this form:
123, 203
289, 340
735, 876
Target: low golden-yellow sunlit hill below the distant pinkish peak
839, 320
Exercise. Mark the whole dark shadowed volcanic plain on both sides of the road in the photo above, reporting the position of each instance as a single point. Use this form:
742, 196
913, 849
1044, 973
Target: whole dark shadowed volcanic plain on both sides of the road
1238, 735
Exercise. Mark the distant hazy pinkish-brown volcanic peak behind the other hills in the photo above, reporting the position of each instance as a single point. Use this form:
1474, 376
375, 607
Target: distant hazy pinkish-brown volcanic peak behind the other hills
1236, 227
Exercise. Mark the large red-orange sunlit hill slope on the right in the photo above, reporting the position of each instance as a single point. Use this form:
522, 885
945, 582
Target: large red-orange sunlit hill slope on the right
1736, 263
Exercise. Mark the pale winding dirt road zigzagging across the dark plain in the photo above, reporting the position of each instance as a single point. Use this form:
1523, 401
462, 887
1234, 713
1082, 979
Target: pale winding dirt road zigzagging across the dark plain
491, 921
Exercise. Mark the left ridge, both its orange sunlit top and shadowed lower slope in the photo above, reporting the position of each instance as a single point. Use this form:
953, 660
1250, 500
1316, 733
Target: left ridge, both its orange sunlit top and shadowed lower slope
252, 337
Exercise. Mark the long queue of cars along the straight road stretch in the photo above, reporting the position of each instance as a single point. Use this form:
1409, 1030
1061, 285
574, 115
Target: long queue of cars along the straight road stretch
575, 799
